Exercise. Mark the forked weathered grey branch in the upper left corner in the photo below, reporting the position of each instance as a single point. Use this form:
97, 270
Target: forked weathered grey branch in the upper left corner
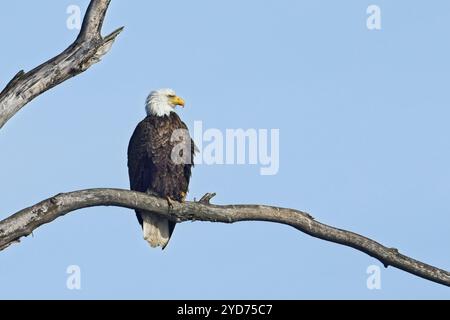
88, 48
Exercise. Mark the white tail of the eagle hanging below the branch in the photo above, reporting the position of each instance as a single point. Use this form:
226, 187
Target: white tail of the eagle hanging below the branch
156, 230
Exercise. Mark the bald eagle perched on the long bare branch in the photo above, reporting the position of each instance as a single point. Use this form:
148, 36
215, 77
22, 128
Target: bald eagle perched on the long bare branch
160, 159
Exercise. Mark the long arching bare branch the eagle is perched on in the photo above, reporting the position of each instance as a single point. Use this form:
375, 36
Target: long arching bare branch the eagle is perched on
25, 221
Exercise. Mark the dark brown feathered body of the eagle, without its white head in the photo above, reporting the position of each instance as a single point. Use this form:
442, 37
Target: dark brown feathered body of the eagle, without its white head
152, 169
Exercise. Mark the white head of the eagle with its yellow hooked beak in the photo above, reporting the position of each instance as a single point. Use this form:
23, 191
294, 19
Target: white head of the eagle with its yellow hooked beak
162, 102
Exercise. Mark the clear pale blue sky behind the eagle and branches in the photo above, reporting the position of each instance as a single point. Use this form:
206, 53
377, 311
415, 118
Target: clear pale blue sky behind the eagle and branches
364, 145
